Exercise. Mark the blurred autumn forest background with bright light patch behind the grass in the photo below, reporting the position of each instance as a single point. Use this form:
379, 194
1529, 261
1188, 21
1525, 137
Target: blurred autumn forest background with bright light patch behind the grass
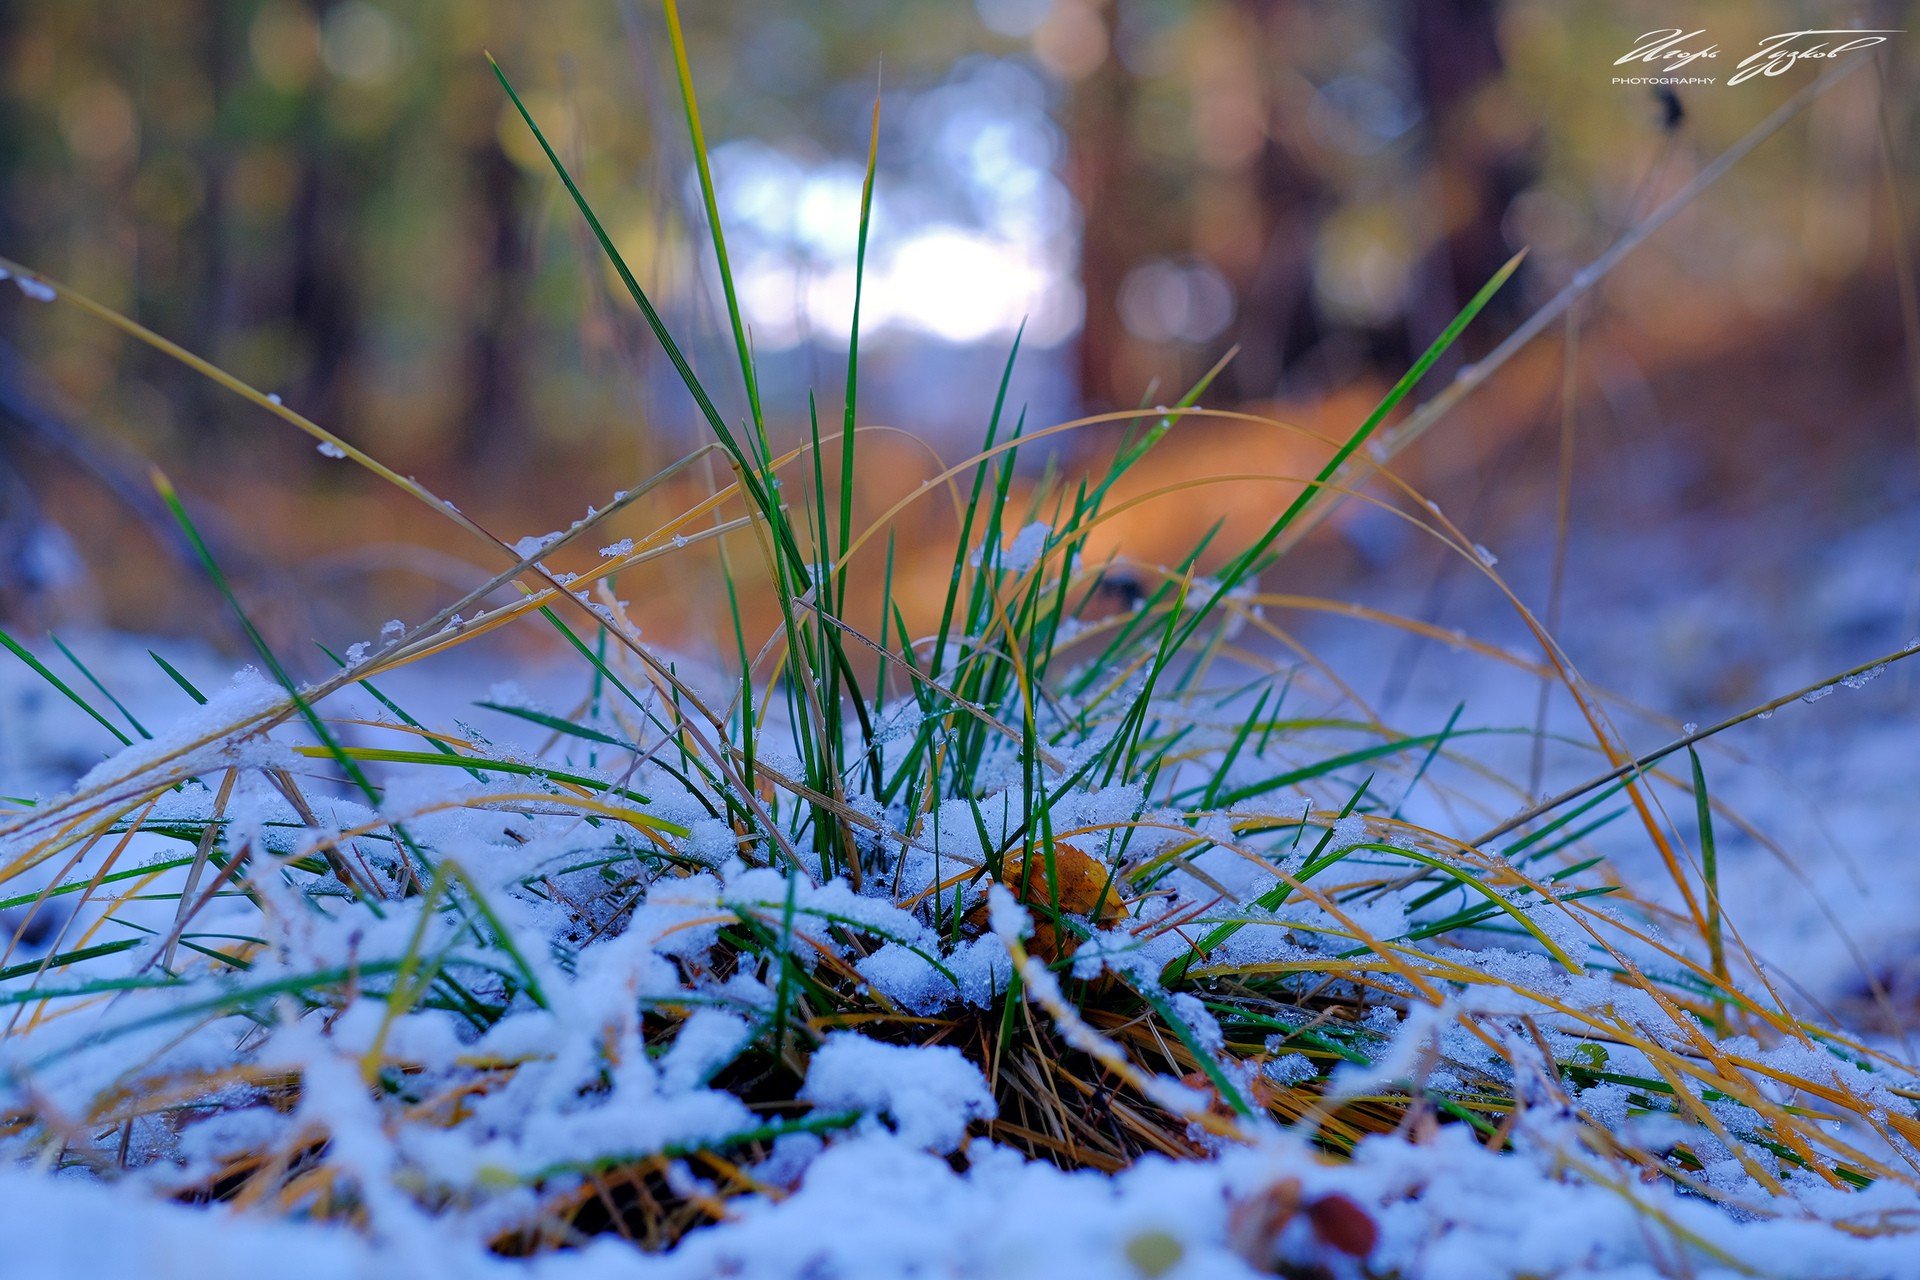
333, 201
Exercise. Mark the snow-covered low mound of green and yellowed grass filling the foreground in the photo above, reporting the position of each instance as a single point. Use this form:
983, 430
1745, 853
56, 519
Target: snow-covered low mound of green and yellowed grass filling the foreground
533, 987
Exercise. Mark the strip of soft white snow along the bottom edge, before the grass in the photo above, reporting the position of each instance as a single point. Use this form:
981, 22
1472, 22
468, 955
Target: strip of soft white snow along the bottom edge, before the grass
875, 1206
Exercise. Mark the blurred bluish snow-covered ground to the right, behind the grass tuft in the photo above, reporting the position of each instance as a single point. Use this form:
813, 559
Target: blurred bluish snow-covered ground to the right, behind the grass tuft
1692, 617
